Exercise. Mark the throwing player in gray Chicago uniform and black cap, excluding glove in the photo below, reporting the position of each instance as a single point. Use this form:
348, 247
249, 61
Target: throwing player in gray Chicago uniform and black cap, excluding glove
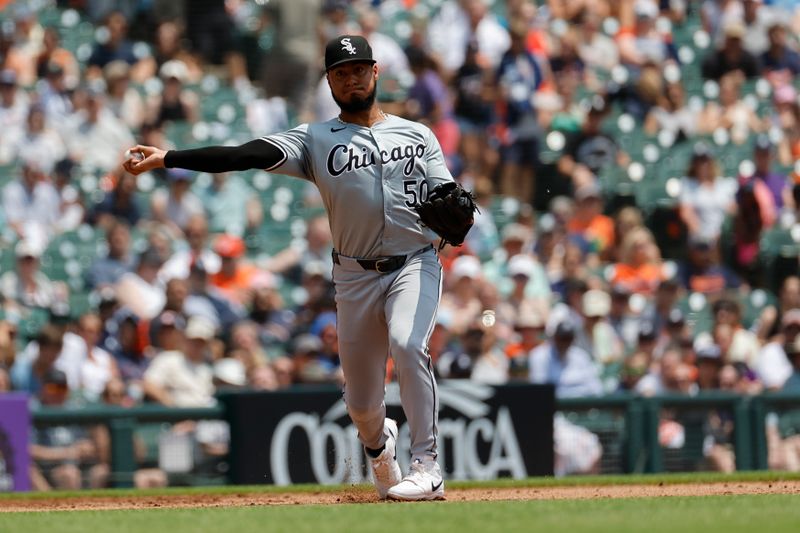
371, 169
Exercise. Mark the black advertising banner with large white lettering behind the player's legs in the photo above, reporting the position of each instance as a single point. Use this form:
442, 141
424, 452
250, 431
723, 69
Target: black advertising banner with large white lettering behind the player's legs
303, 436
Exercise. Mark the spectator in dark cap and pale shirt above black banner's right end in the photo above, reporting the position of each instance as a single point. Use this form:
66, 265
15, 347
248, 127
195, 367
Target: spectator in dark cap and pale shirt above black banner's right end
559, 362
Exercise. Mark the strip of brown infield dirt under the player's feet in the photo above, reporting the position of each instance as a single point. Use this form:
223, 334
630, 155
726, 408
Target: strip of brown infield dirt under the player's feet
367, 495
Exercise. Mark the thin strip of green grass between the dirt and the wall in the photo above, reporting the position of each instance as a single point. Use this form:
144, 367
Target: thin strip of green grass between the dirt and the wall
630, 479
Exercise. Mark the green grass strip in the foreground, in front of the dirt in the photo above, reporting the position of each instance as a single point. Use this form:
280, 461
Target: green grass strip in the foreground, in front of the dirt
709, 514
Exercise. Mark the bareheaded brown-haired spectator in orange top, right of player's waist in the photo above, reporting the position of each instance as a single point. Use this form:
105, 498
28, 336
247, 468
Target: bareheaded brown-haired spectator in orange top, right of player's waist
639, 269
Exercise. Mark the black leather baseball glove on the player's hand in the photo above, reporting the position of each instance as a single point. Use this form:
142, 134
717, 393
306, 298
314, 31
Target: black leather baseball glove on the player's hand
449, 211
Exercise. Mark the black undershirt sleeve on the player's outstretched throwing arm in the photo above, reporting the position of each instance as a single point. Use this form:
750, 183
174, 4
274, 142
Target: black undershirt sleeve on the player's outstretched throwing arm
257, 154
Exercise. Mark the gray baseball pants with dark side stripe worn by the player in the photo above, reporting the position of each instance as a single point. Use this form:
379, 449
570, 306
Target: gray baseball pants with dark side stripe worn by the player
382, 314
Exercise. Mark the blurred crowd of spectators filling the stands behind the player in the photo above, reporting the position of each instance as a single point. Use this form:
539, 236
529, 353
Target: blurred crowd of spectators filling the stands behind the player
561, 280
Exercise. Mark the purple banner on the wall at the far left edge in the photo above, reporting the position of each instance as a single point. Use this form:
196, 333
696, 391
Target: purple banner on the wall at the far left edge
15, 423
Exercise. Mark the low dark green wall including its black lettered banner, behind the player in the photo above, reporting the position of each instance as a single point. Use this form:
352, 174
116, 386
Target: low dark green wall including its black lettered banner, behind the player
304, 435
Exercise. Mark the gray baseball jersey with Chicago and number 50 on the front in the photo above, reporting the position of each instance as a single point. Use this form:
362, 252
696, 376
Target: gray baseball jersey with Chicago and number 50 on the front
369, 179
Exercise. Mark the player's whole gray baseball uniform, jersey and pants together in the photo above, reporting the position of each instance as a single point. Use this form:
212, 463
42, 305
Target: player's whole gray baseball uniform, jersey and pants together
369, 179
